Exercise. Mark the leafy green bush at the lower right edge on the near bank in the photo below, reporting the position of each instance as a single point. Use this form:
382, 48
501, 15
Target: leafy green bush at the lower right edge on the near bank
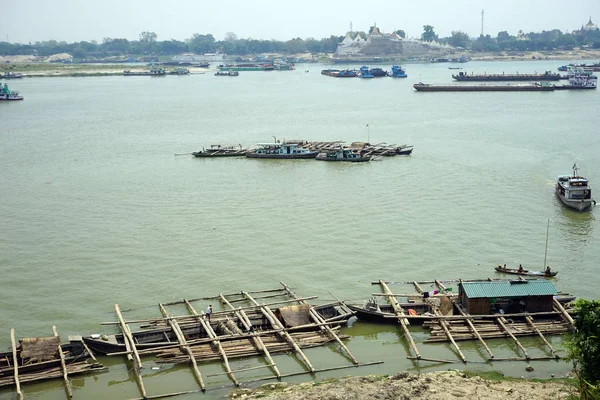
583, 346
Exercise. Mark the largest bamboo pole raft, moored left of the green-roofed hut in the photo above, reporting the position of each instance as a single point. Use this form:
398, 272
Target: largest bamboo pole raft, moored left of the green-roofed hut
253, 329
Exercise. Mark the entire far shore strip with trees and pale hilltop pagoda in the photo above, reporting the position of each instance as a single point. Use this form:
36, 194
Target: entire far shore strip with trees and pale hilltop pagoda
353, 44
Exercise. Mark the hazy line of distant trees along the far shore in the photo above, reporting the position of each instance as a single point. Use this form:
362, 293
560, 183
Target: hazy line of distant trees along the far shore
199, 44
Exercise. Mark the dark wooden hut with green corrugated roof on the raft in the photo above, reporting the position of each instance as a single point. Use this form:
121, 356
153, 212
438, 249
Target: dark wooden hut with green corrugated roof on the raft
507, 297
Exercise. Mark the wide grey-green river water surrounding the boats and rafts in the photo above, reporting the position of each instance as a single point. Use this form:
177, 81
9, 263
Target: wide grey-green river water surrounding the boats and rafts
95, 208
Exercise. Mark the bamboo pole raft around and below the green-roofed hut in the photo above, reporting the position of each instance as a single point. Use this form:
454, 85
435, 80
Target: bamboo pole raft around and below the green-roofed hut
445, 326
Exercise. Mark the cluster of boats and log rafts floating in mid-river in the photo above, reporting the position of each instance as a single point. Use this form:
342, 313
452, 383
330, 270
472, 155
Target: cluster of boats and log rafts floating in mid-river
290, 150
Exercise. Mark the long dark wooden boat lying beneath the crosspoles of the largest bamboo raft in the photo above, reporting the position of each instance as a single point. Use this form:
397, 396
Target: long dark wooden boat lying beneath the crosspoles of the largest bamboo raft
225, 324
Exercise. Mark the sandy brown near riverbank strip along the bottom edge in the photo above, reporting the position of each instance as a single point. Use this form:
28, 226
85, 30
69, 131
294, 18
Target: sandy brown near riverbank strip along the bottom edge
405, 386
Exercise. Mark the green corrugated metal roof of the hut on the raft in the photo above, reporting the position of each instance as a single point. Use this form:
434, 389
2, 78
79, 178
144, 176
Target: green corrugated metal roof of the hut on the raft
475, 290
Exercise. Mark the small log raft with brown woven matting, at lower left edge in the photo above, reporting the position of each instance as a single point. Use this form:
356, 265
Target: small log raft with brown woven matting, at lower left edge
39, 359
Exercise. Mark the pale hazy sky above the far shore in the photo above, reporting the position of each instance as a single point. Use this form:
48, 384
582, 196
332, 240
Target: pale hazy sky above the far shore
22, 21
